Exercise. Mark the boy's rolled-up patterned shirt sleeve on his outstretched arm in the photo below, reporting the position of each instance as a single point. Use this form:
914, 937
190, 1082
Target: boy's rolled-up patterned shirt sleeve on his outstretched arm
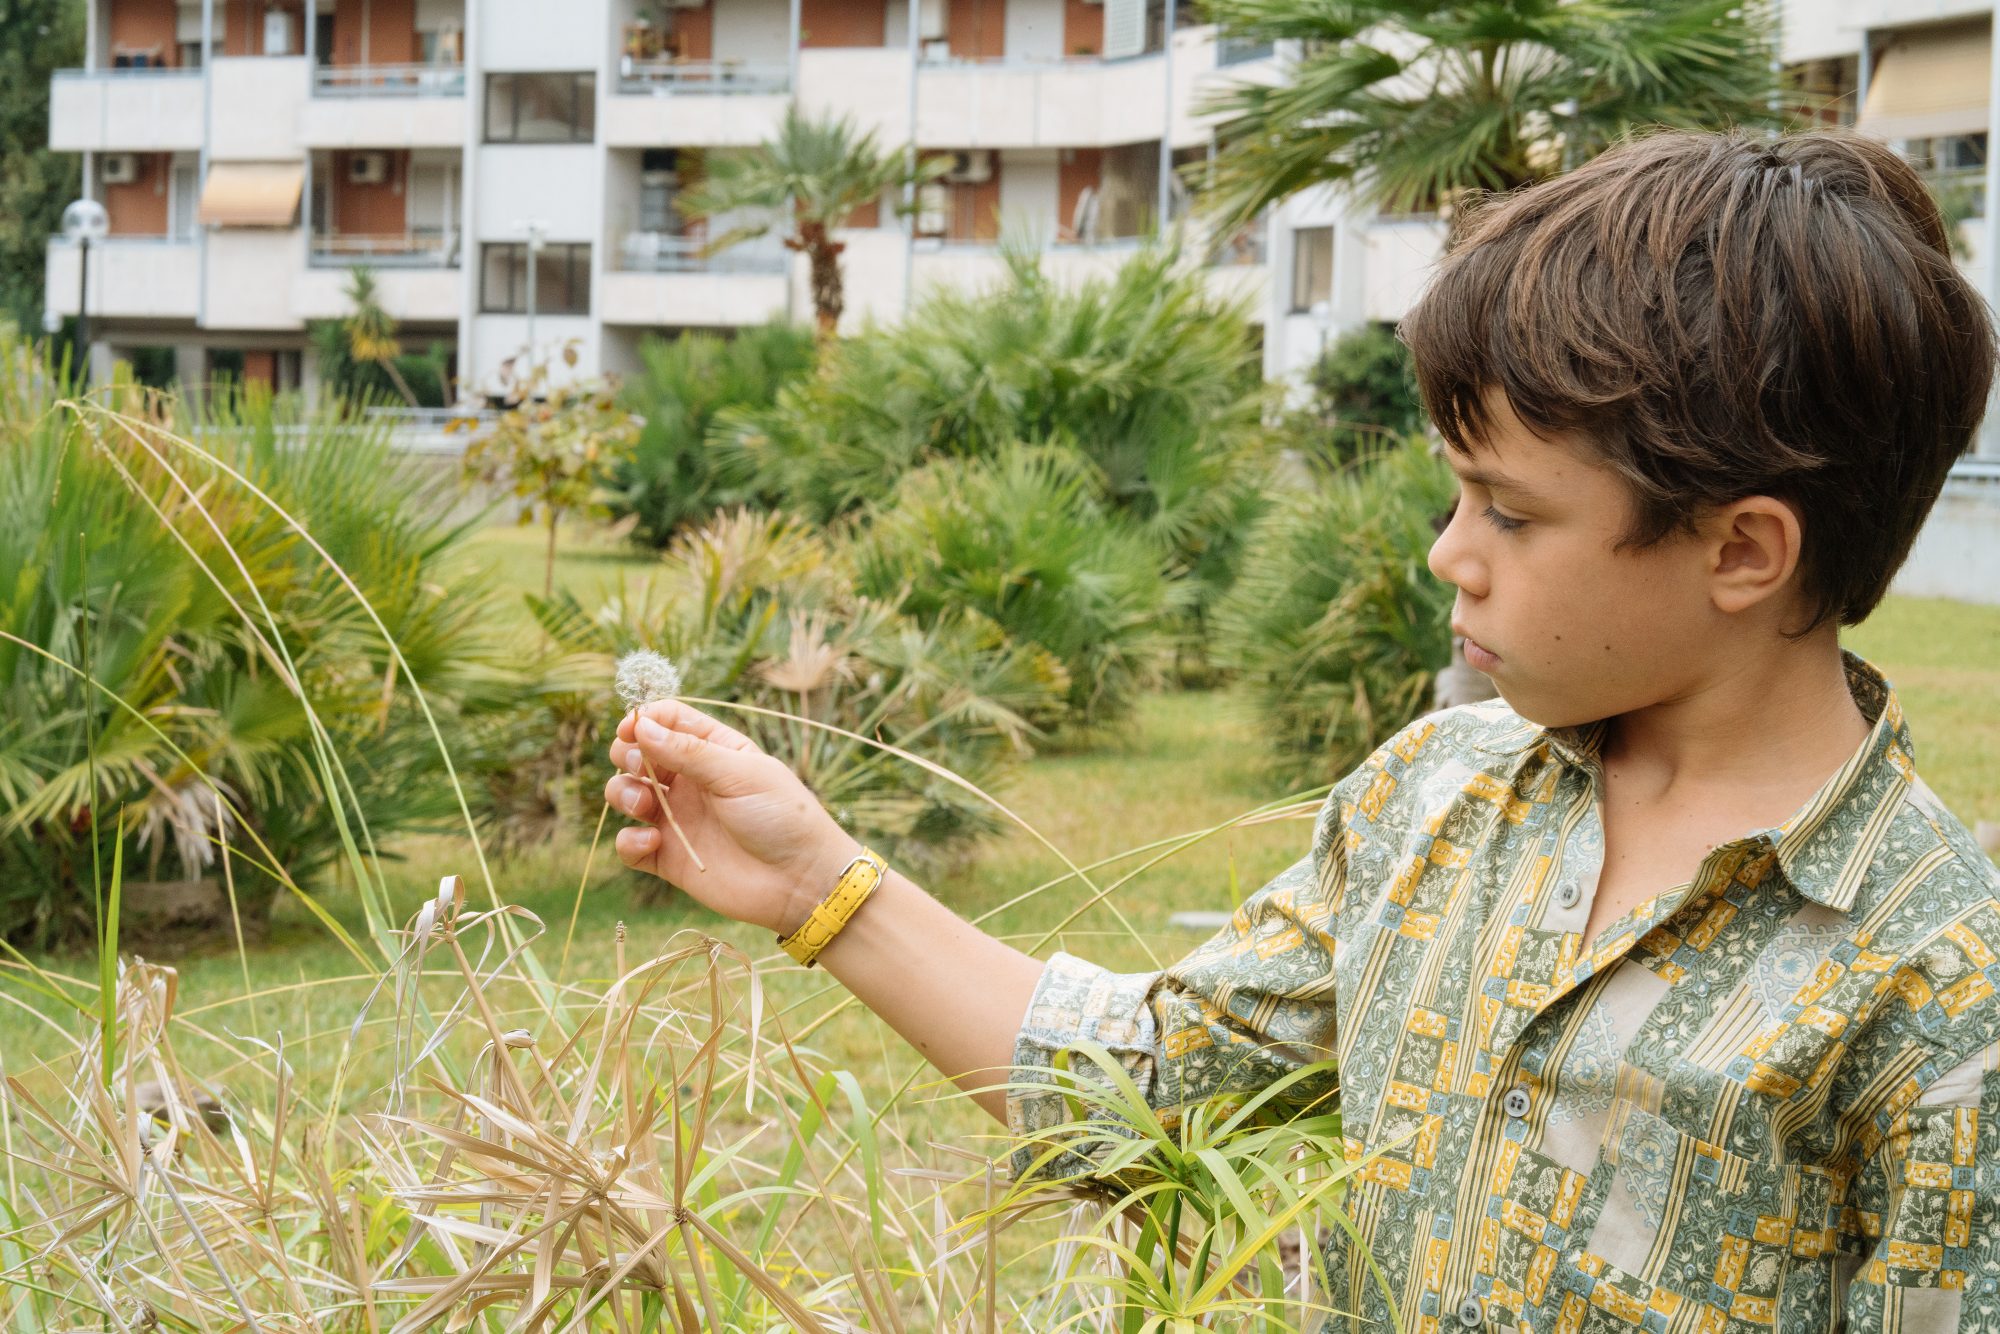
1245, 1009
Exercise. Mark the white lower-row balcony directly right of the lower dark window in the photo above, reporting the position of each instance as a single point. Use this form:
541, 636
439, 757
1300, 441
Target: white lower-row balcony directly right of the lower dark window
663, 279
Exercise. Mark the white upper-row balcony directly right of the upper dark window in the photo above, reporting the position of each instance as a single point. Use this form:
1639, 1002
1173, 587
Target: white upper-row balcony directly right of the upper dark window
709, 103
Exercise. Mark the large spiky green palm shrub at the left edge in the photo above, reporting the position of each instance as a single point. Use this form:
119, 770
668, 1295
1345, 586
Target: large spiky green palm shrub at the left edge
193, 605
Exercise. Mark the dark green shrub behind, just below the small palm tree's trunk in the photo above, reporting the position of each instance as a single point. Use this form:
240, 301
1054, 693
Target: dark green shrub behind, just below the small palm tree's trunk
685, 383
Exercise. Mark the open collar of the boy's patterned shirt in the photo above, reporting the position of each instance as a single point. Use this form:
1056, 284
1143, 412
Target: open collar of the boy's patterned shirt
1827, 845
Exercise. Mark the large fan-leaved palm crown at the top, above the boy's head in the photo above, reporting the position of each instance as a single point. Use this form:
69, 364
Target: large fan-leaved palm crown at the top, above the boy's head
1411, 103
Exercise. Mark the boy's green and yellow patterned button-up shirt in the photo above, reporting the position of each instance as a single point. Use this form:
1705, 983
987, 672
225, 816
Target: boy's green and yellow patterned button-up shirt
1765, 1099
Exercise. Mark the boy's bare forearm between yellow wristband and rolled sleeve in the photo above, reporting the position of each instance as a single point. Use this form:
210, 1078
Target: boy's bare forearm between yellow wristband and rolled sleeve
955, 993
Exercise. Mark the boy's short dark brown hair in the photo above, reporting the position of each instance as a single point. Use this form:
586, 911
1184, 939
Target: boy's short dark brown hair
1727, 317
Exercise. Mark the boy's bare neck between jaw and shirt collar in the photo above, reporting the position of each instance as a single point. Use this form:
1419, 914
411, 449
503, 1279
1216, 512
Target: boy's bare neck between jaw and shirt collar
1777, 721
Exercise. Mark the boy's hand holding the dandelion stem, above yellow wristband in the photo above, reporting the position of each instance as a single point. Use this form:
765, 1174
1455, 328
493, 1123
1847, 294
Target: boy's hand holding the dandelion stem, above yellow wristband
769, 845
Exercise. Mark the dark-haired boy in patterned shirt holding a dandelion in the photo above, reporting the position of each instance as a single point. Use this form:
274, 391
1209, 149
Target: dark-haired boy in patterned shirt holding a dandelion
1667, 985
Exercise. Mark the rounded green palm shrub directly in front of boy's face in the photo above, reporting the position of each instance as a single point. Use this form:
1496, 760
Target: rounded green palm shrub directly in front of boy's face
1337, 621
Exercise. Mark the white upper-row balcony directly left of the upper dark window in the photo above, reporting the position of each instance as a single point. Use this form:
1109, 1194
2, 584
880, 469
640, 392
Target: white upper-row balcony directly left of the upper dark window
385, 107
